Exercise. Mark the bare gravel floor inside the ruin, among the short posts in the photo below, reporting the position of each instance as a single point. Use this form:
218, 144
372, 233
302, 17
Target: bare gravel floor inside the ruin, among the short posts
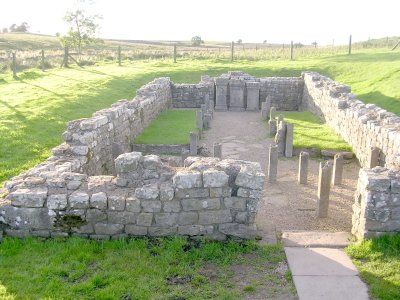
285, 205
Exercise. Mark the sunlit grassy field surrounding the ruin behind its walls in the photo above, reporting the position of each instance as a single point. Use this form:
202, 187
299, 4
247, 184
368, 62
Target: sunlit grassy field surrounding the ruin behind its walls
35, 107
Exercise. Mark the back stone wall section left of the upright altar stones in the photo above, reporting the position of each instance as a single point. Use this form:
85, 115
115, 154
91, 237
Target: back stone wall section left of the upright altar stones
192, 95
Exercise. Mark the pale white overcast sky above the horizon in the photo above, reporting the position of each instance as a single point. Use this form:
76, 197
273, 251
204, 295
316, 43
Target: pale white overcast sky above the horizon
278, 21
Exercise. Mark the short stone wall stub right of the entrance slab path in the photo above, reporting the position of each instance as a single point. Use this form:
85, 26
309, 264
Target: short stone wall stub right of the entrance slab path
377, 205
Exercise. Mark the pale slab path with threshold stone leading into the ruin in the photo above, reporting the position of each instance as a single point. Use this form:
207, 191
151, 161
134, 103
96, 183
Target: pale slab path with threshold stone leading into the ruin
320, 269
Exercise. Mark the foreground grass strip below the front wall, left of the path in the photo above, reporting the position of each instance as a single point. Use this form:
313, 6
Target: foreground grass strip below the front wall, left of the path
160, 268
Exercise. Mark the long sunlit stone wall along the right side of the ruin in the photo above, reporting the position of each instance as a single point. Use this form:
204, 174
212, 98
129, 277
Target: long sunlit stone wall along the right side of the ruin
361, 125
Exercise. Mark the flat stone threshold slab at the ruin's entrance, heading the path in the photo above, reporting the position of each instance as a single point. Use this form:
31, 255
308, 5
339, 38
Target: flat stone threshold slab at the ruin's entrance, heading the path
301, 238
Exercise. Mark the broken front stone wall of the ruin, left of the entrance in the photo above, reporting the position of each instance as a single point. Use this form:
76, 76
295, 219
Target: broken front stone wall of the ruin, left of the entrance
209, 197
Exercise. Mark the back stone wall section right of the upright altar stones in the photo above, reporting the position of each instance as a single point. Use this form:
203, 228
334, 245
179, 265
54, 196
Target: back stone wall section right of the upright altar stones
285, 93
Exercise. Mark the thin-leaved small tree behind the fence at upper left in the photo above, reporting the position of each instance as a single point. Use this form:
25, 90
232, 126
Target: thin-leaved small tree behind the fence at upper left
82, 31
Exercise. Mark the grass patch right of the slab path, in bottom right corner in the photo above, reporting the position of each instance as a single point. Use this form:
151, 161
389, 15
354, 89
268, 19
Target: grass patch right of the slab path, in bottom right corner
378, 261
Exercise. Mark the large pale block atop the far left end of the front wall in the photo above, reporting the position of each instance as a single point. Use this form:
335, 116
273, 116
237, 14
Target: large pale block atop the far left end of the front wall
28, 197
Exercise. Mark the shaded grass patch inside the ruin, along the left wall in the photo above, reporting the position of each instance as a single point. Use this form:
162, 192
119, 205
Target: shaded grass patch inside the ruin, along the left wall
170, 127
